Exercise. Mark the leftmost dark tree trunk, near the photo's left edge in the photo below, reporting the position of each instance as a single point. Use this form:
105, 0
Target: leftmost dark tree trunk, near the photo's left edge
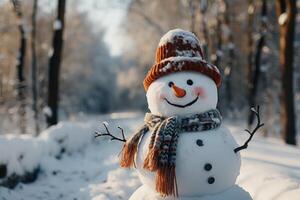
21, 85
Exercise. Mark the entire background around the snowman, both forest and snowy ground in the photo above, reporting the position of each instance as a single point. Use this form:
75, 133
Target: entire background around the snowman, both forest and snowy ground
68, 65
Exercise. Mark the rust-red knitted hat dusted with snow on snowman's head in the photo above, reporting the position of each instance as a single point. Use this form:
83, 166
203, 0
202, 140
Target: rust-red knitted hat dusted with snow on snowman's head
180, 50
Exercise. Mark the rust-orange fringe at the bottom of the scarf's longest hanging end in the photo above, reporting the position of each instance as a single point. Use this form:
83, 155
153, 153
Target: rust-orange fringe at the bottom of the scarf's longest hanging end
166, 183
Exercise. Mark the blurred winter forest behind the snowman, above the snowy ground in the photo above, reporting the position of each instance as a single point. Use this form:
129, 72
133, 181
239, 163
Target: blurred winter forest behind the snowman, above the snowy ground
254, 43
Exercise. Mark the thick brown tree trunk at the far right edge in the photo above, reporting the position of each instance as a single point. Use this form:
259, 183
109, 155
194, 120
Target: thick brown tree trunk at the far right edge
286, 12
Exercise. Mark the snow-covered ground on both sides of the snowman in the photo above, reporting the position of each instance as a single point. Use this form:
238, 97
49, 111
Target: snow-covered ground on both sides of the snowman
74, 165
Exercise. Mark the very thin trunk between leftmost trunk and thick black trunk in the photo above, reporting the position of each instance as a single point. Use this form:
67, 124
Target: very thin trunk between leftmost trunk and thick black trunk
34, 68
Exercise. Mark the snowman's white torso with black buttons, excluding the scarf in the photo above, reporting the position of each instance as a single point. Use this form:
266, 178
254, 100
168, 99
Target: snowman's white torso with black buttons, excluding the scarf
205, 162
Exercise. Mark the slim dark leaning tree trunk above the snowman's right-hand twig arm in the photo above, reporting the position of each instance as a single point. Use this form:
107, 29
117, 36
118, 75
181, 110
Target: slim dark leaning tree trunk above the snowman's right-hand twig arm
257, 60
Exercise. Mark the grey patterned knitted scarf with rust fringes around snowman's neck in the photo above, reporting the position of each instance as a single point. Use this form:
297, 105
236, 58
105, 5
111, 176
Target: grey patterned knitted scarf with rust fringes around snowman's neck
161, 157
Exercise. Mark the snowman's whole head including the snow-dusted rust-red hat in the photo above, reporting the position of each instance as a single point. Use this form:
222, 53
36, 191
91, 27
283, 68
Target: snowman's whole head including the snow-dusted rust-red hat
181, 81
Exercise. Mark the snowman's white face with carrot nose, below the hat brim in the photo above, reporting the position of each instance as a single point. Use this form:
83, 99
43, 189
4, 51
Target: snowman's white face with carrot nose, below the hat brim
182, 93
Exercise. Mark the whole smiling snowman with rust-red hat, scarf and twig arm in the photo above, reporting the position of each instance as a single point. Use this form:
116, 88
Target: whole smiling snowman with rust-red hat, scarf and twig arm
183, 151
